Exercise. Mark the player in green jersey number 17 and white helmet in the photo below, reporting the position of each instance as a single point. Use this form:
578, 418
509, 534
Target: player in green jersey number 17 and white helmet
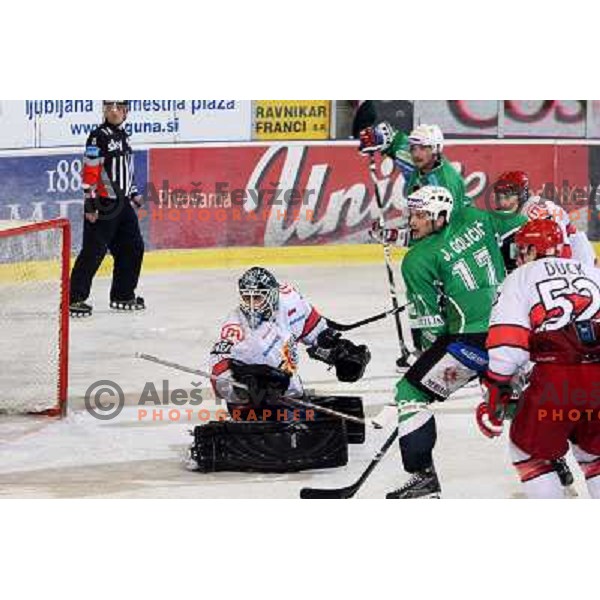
451, 277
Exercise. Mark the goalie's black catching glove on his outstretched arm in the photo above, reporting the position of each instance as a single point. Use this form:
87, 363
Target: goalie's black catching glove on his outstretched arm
349, 360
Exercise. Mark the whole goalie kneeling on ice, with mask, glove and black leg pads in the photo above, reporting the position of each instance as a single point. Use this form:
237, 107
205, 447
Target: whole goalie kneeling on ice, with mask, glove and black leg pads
258, 348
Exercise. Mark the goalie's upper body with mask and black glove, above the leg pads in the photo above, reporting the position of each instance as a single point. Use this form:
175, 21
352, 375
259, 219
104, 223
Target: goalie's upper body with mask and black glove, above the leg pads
258, 345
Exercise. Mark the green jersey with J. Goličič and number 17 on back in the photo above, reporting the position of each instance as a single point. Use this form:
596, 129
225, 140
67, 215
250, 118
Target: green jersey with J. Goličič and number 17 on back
452, 276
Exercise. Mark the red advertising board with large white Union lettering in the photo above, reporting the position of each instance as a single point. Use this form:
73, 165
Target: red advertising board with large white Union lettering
307, 194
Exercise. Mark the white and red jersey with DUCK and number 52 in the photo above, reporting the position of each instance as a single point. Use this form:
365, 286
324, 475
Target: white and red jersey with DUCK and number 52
538, 301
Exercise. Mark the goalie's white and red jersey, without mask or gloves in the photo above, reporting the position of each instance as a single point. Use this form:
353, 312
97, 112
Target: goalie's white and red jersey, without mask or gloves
273, 343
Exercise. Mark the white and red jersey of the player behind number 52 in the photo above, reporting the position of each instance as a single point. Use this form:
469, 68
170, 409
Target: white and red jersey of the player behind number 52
577, 244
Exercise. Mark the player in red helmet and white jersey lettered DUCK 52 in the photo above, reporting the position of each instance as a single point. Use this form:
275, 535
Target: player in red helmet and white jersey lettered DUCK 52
547, 312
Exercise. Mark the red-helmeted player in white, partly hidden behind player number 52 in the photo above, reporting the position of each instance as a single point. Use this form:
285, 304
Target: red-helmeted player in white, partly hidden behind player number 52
511, 191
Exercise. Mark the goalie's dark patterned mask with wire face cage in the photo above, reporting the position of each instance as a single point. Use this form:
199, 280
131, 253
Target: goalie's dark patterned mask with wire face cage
259, 296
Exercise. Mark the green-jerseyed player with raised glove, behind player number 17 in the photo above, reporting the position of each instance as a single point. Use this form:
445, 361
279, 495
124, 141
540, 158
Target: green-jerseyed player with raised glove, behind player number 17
419, 157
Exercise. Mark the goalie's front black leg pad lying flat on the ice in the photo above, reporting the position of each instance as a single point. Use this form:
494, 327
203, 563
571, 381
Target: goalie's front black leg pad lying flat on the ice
267, 447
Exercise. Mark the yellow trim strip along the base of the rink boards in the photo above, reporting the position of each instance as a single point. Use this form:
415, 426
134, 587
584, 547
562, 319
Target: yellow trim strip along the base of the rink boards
222, 258
